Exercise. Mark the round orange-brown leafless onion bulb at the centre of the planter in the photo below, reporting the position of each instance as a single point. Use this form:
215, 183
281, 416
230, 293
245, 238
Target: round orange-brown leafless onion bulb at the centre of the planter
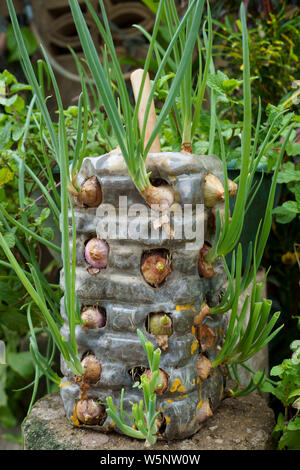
155, 268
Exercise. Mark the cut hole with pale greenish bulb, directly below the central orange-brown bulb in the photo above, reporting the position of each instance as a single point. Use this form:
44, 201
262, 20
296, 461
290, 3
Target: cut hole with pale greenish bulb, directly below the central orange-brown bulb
160, 325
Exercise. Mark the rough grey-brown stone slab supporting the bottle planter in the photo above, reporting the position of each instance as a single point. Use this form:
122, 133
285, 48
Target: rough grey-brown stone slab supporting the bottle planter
244, 423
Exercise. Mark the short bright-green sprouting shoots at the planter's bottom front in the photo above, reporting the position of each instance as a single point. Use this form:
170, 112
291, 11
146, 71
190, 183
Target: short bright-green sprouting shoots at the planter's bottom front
144, 414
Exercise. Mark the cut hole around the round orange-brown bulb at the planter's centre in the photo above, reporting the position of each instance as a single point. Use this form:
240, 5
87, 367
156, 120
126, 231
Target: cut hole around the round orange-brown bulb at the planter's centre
156, 266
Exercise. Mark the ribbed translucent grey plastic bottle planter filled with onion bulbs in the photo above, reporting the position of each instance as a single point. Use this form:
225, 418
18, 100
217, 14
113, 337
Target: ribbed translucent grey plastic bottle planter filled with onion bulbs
128, 302
